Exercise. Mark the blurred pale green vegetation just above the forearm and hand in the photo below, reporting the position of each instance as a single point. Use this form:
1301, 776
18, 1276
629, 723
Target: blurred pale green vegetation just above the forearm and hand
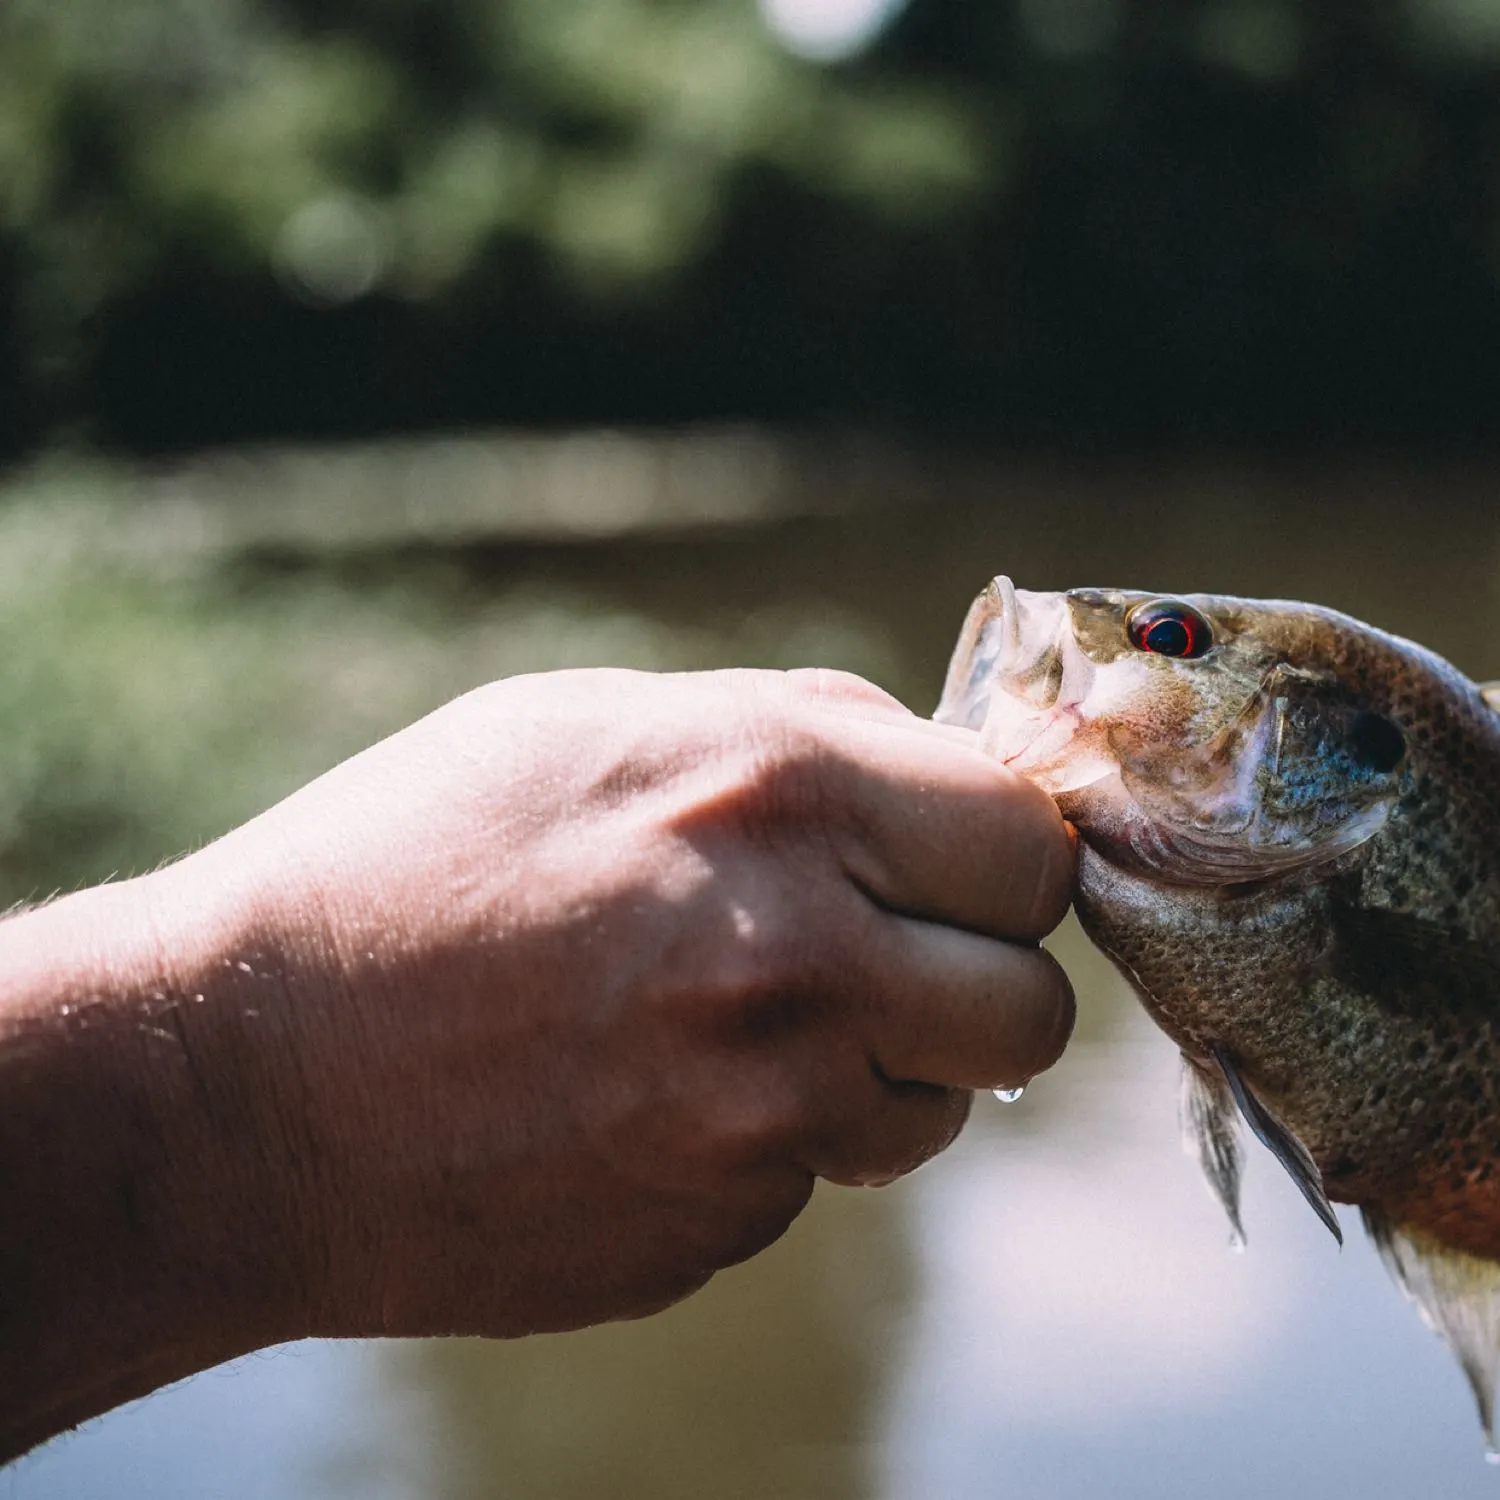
157, 698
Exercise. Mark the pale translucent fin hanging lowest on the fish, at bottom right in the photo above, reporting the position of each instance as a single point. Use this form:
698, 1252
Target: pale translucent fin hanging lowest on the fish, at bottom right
1459, 1298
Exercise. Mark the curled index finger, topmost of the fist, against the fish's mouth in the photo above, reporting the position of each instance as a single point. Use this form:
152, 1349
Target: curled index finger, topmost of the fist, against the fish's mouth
929, 826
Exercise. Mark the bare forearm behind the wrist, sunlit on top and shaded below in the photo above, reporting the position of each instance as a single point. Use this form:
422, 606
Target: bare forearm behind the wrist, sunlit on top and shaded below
143, 1232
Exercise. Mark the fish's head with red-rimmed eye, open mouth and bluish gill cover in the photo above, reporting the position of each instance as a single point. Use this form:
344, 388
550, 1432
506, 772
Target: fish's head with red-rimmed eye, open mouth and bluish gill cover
1199, 739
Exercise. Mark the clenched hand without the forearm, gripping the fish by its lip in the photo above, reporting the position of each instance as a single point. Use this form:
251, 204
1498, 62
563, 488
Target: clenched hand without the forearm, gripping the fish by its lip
592, 974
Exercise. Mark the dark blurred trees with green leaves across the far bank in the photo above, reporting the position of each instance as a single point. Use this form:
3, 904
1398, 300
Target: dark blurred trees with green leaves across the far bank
1076, 221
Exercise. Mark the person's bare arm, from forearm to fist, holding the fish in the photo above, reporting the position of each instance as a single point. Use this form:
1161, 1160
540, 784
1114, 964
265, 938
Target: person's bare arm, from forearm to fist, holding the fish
532, 1016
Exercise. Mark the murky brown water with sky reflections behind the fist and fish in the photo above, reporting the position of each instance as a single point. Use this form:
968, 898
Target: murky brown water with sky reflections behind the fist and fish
1051, 1310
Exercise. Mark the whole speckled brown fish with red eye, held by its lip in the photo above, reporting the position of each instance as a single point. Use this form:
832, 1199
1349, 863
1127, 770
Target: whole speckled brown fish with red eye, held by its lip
1289, 830
